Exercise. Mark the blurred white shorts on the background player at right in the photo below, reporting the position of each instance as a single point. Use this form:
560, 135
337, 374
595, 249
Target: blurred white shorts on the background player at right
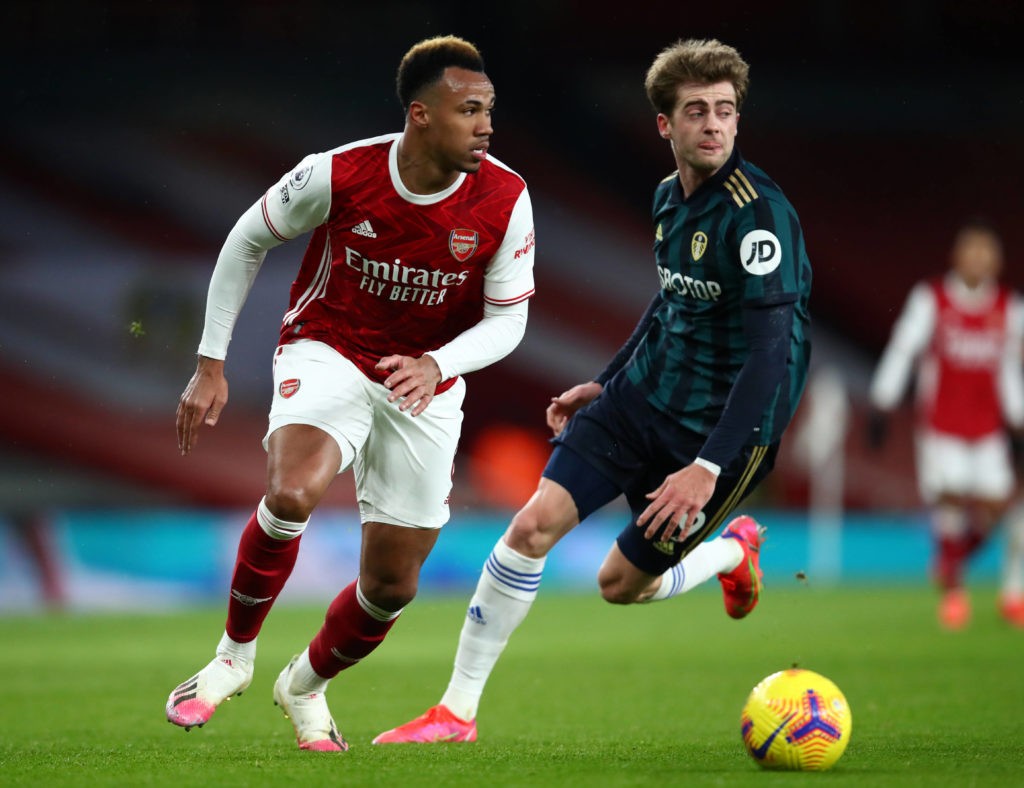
980, 469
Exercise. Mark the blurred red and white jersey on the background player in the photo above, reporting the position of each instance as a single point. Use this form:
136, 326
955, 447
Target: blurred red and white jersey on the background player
968, 347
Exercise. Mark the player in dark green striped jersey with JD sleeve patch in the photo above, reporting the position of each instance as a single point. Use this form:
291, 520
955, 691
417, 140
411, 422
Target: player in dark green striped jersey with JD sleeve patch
687, 420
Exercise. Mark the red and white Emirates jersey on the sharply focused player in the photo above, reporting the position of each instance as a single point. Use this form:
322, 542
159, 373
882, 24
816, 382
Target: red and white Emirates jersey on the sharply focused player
389, 272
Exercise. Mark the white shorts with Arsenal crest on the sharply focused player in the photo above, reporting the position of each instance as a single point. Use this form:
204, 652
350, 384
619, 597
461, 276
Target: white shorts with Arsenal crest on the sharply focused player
403, 464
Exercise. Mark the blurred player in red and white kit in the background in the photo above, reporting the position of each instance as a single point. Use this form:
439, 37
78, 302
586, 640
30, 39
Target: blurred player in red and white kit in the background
962, 333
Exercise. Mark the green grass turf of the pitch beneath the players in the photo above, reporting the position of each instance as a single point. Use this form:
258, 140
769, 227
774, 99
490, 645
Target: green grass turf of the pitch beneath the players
587, 694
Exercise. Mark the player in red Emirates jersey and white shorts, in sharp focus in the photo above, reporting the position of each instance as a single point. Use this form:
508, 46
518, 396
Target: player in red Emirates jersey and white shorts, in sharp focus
418, 272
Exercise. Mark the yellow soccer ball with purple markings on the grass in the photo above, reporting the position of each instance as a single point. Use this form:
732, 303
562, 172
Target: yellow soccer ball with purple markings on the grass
796, 720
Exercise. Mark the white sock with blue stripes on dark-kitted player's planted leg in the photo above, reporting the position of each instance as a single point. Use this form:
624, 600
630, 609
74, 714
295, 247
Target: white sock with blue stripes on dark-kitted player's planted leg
506, 590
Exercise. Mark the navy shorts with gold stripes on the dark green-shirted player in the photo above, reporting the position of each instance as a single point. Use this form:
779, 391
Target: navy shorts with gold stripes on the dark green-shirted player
620, 445
